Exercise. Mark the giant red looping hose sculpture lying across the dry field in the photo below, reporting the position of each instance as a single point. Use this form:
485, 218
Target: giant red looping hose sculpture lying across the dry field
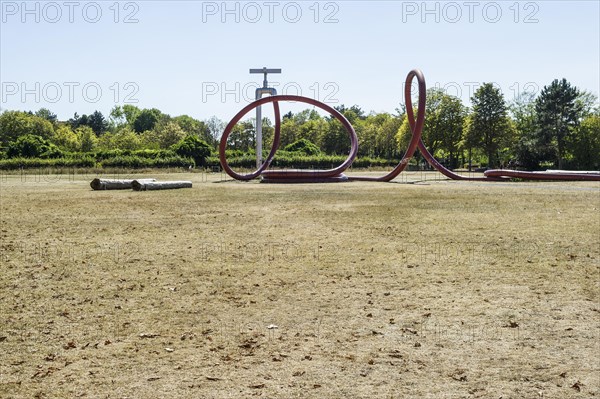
336, 174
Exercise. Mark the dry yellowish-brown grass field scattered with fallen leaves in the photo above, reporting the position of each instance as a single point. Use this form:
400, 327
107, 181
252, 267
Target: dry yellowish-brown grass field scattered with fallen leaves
431, 290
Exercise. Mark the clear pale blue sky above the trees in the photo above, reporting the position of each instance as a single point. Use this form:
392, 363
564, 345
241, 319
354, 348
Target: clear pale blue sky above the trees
181, 56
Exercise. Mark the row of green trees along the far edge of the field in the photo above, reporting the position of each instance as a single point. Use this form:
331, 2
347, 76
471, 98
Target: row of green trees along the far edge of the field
558, 128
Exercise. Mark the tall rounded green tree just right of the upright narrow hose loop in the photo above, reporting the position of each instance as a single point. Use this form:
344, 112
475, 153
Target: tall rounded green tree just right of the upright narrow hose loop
489, 125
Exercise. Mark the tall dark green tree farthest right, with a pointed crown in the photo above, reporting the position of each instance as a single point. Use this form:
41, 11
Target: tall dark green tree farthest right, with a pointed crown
557, 116
